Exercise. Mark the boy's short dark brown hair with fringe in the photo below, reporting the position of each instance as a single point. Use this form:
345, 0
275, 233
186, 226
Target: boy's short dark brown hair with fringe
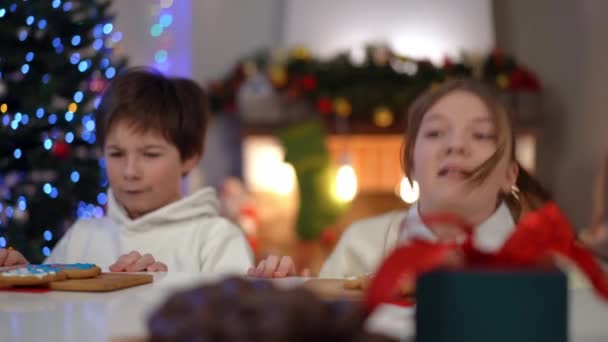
176, 108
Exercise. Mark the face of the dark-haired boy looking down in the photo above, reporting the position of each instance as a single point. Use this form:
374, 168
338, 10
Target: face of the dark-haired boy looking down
144, 169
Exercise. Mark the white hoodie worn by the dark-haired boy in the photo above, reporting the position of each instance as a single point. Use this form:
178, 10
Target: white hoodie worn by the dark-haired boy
187, 235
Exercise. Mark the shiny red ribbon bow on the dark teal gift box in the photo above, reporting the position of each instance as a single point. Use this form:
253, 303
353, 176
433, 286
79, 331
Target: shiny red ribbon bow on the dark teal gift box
539, 237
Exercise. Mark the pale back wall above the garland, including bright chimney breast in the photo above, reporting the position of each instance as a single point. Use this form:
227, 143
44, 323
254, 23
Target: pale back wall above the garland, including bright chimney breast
205, 37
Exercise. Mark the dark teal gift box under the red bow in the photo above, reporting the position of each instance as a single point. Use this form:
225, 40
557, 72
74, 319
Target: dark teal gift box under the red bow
481, 305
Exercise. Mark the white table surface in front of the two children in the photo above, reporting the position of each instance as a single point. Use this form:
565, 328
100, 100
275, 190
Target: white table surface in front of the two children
79, 316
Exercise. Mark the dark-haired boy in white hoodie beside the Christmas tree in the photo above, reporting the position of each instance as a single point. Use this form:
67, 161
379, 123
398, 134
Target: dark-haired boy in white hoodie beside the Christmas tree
151, 129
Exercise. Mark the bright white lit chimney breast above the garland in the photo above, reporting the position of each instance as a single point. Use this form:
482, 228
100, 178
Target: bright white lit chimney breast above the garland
425, 29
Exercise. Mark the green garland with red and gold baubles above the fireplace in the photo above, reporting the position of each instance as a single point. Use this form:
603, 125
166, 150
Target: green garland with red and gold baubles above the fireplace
368, 91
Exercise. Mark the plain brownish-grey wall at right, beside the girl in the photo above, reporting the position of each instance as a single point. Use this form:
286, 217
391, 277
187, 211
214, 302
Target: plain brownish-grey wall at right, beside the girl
565, 43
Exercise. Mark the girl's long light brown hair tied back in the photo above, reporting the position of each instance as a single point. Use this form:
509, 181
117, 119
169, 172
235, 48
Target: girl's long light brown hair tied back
531, 194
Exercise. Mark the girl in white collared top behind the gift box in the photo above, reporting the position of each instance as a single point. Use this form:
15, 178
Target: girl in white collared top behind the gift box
459, 147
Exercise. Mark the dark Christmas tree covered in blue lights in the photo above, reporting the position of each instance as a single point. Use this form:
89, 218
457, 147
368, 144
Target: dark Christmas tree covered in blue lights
55, 59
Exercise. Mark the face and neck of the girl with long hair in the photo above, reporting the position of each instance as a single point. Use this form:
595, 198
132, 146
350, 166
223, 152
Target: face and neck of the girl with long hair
457, 135
